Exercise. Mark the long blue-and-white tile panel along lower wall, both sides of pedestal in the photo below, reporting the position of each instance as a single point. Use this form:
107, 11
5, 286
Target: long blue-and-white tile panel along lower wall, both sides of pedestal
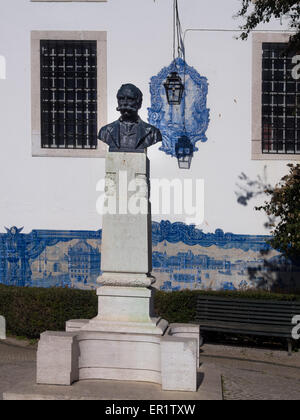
183, 257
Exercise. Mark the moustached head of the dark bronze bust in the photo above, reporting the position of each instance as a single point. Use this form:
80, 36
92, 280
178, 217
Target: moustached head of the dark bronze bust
130, 100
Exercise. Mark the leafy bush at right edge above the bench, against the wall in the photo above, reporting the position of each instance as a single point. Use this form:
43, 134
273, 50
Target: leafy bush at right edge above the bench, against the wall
283, 210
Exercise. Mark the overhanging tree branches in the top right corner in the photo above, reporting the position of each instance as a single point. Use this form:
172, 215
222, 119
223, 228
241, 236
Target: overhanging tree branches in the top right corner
264, 10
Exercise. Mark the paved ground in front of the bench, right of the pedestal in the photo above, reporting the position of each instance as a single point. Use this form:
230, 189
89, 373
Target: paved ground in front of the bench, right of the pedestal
255, 374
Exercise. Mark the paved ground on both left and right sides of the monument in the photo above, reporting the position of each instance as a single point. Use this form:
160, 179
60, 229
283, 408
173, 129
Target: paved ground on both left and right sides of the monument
248, 374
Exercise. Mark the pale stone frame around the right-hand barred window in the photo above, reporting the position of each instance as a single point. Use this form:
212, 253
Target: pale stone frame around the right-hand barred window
258, 38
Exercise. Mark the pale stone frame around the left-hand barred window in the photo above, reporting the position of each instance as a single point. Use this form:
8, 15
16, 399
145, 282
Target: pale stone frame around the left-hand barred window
101, 38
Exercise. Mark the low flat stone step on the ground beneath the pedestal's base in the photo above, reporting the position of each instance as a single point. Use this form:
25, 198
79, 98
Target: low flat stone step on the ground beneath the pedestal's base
208, 388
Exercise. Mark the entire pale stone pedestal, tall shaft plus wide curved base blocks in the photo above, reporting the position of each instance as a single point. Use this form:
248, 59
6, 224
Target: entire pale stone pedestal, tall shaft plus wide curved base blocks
125, 341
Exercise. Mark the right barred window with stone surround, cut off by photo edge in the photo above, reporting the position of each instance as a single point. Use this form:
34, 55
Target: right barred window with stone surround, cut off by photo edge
276, 99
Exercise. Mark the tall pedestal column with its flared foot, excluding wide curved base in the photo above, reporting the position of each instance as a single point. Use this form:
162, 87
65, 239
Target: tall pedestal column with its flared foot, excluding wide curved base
125, 296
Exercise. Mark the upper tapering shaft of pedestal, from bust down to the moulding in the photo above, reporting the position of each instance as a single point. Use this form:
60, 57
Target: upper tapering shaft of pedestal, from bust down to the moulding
126, 236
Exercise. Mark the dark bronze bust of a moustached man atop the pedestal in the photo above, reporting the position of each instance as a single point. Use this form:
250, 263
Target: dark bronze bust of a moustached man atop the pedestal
129, 133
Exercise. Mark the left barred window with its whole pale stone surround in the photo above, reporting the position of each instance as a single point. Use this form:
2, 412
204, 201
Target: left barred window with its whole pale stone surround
68, 93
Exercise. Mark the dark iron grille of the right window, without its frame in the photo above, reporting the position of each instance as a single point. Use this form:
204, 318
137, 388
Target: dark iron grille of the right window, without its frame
280, 101
